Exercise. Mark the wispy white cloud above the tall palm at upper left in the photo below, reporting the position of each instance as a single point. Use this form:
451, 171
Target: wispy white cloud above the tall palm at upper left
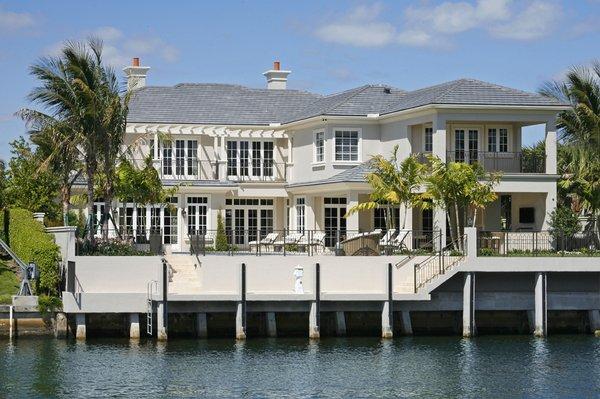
119, 49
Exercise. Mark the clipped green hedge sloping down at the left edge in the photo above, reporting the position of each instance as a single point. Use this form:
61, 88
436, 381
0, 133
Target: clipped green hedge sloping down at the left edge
28, 239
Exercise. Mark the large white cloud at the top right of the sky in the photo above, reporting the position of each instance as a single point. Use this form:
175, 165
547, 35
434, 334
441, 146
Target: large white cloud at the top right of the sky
434, 25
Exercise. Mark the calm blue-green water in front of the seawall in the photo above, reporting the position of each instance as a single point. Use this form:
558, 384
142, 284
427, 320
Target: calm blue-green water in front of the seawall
428, 367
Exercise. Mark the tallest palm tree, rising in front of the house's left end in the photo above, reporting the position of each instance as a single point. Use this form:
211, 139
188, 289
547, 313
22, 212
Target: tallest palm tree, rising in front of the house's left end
77, 89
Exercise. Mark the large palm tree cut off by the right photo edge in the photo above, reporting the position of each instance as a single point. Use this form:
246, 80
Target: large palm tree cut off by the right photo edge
580, 136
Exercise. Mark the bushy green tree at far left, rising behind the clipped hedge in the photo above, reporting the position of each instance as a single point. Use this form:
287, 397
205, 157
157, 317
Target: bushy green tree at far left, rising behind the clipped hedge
27, 186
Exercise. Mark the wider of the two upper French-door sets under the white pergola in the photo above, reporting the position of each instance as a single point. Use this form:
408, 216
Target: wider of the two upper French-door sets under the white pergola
250, 158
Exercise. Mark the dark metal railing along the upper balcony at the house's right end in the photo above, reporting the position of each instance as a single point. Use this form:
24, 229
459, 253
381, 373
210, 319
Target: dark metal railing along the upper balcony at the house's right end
510, 162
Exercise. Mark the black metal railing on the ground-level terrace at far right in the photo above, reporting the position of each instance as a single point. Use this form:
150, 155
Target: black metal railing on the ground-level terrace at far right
537, 243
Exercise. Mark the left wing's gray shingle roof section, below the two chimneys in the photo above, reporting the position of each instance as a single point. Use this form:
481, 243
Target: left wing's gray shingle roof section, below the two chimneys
215, 104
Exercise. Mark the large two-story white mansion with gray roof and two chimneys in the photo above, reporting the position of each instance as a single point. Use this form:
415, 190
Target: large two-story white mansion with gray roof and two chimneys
275, 159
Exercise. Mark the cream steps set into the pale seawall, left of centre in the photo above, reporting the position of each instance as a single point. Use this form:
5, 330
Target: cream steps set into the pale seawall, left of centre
185, 278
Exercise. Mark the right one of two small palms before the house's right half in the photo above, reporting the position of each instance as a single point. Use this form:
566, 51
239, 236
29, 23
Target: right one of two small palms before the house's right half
460, 189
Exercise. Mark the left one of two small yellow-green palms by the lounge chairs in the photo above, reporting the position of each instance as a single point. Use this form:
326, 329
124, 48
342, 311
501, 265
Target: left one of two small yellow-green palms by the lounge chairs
394, 184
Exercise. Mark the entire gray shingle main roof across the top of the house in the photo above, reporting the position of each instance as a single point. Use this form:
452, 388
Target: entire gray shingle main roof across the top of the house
225, 104
